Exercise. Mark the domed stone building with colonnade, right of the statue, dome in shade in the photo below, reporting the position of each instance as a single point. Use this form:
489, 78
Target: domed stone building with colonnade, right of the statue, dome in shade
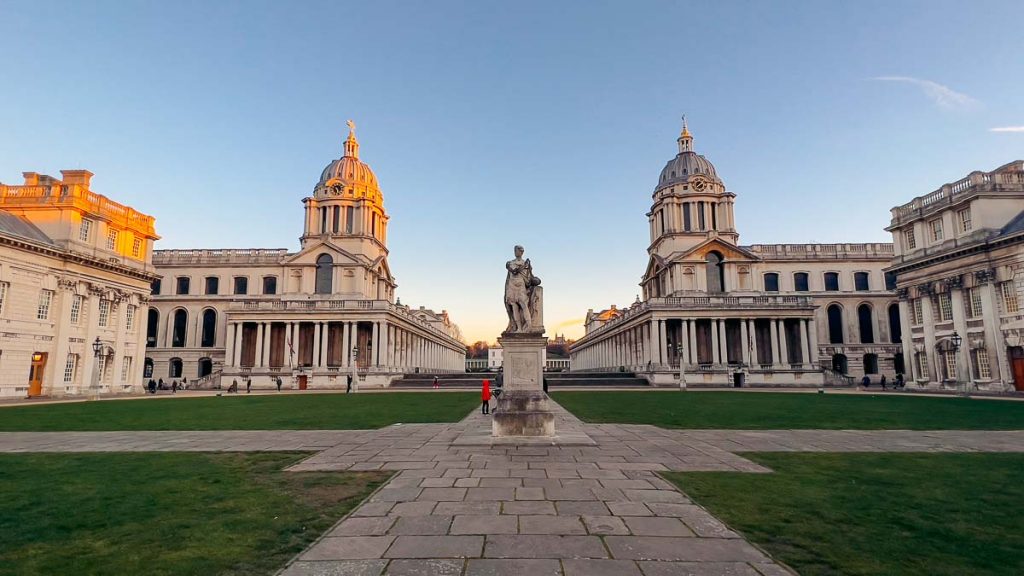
775, 314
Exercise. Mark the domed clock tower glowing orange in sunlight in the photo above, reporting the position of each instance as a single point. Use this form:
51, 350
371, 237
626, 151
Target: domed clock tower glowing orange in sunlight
348, 208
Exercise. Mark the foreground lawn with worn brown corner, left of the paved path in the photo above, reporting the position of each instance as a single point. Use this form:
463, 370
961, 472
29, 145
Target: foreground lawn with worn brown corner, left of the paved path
165, 514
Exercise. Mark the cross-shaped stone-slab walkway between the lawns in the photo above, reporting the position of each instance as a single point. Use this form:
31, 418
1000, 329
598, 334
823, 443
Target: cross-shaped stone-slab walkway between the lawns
588, 504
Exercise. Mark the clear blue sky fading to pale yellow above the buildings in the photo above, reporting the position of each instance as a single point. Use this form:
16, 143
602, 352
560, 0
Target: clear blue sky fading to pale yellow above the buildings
491, 124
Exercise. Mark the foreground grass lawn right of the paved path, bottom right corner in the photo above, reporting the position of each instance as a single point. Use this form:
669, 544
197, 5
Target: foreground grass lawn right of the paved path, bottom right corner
876, 514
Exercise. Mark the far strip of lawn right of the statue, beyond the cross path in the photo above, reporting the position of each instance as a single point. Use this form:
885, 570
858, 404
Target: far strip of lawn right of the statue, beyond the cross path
739, 410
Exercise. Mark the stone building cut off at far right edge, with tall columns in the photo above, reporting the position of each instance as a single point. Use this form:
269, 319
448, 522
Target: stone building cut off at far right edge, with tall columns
960, 274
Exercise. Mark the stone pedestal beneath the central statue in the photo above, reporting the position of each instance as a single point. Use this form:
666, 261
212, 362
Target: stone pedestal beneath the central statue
523, 407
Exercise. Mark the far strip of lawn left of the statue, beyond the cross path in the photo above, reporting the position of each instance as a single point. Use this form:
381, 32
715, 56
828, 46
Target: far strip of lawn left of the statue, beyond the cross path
316, 412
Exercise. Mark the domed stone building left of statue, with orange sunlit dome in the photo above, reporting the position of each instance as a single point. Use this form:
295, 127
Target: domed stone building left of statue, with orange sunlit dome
310, 317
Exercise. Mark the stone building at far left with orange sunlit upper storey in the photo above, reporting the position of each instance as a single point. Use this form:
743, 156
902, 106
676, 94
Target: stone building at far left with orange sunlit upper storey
74, 267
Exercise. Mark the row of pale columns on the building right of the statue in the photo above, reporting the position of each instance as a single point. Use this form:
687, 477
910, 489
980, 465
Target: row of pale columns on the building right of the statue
648, 345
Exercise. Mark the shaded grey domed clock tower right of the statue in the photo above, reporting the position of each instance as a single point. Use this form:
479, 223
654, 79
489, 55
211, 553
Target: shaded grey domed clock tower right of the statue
691, 205
